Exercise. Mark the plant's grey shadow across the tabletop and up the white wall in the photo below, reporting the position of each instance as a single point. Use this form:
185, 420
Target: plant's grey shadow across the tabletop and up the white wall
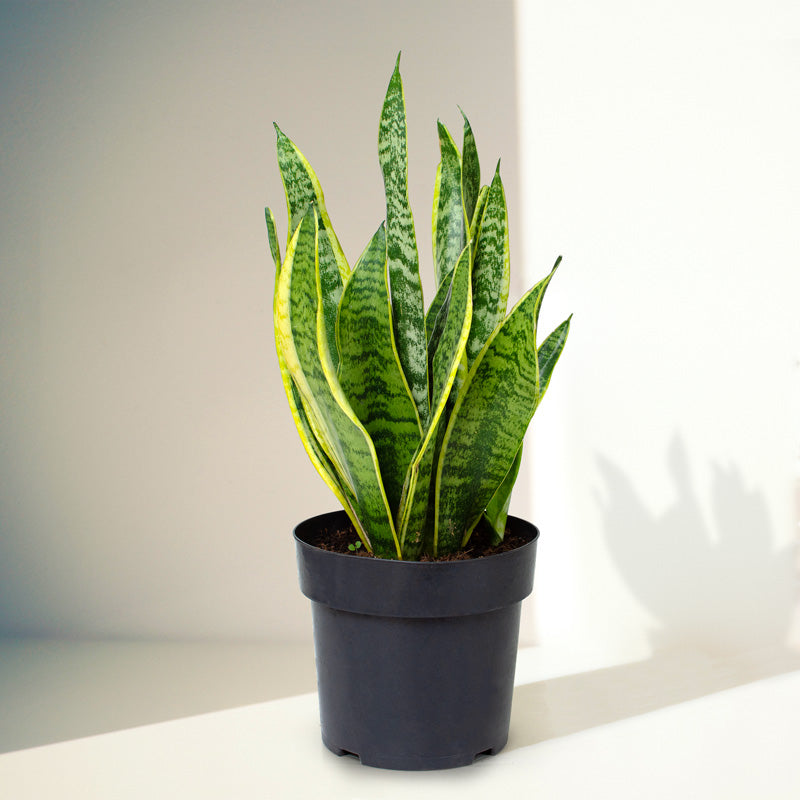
723, 597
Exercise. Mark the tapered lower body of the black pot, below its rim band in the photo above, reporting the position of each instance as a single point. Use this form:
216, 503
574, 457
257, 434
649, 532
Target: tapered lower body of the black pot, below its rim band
415, 694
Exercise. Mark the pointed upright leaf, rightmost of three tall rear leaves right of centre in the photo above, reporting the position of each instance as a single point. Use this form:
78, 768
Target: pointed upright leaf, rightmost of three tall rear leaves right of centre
491, 269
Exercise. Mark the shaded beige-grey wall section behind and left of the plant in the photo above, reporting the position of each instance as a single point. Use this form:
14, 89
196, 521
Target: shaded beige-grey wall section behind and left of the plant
150, 474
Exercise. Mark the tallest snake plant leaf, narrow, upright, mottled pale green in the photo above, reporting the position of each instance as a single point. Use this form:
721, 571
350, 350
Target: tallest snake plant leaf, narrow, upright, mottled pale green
401, 245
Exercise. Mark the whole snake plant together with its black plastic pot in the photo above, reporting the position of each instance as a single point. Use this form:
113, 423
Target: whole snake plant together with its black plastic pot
415, 419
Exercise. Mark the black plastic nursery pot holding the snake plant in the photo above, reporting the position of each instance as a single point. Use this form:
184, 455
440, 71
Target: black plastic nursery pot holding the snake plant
415, 660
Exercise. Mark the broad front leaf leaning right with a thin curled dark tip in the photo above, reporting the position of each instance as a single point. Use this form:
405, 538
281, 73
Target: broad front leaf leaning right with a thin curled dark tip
488, 423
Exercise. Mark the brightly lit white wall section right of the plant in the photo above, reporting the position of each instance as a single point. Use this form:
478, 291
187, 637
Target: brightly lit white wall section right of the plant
659, 155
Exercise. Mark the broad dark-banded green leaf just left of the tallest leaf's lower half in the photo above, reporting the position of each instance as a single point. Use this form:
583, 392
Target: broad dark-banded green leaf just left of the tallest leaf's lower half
370, 373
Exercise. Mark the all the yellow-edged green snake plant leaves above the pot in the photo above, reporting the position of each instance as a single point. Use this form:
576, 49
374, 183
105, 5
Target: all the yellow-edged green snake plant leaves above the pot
413, 418
